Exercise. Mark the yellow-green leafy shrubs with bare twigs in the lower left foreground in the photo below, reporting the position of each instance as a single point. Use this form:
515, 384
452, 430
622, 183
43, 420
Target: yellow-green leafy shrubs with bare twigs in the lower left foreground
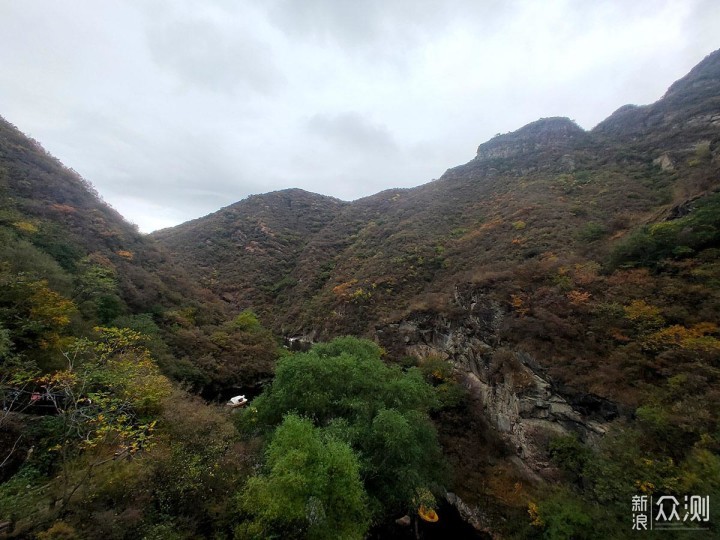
102, 406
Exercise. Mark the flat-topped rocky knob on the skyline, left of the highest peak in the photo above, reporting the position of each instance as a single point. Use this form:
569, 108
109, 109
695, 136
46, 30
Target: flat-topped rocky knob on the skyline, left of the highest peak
544, 134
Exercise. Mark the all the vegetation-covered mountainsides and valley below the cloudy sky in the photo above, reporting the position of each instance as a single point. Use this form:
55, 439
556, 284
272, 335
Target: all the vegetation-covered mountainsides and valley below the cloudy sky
536, 342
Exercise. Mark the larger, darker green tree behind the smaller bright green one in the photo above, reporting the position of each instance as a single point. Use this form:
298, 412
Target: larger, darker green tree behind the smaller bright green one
351, 397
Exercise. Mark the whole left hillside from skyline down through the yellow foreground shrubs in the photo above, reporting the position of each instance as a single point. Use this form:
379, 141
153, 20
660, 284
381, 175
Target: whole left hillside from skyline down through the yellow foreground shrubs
101, 338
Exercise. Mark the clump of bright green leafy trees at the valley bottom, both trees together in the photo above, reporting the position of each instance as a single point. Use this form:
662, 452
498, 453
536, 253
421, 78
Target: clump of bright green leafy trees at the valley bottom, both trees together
342, 399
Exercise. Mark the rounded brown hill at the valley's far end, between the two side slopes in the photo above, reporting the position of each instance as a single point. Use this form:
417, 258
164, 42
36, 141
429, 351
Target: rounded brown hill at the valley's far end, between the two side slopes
248, 251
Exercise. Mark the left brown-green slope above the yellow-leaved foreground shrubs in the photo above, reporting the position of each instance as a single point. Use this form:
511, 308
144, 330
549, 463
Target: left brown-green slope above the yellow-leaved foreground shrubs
56, 230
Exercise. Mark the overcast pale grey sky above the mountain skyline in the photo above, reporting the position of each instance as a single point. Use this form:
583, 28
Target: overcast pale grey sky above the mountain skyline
175, 108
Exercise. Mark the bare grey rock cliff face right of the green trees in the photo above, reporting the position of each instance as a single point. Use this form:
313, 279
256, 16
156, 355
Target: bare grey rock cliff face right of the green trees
518, 398
